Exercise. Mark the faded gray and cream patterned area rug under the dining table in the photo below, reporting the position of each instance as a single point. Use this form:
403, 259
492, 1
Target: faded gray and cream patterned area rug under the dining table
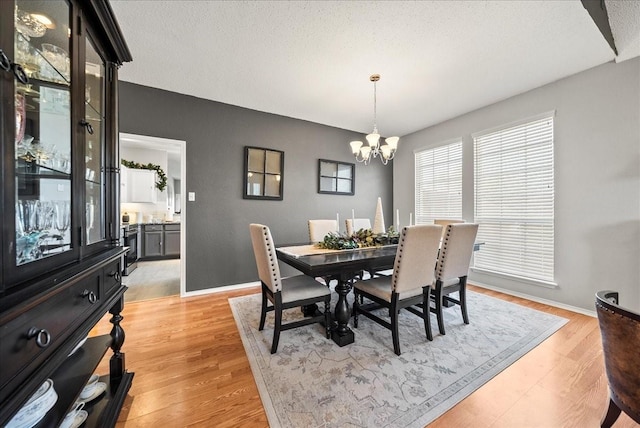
312, 382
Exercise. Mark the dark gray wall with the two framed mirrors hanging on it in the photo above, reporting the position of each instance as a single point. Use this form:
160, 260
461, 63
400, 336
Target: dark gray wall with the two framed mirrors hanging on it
218, 244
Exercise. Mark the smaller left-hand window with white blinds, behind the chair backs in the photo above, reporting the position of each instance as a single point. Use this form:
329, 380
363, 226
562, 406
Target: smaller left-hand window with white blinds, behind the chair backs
439, 182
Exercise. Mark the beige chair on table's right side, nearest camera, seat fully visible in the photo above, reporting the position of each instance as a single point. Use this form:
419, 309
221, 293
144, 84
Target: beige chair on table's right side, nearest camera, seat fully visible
410, 284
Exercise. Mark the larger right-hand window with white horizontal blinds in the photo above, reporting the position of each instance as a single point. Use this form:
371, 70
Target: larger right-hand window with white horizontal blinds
514, 191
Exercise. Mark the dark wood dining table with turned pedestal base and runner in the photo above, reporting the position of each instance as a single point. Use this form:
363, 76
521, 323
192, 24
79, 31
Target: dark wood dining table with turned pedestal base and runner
344, 266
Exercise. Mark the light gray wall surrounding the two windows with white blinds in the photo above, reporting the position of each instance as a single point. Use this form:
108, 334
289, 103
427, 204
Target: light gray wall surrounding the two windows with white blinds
597, 179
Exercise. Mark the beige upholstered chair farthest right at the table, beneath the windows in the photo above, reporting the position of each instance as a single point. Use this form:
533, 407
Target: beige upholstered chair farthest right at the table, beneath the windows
452, 268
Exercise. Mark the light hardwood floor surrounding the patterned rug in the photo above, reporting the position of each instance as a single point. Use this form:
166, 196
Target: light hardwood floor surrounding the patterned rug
191, 370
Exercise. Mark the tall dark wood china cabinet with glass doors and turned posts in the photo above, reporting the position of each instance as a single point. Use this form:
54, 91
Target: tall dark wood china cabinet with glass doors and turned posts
60, 252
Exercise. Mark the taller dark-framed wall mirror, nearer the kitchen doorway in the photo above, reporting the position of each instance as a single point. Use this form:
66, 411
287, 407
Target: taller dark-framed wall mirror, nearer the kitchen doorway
263, 173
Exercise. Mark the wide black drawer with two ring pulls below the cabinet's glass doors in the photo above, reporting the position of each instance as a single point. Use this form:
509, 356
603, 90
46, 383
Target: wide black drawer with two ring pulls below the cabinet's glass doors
51, 321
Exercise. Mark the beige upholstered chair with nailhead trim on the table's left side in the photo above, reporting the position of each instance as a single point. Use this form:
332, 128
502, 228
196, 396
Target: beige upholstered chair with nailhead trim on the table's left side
284, 293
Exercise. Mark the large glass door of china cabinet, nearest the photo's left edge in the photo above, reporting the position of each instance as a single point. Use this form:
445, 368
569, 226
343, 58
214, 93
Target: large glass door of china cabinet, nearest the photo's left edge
43, 155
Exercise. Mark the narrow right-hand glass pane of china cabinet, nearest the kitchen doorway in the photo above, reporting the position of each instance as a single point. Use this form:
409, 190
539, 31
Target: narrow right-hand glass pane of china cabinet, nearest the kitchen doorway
94, 91
